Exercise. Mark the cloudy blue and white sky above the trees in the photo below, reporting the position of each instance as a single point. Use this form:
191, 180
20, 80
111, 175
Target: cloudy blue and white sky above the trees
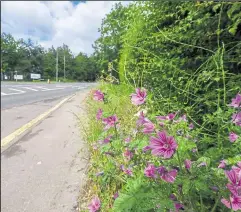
50, 23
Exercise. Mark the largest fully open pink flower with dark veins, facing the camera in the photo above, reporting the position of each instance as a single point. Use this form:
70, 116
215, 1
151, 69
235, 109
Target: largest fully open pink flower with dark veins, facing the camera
163, 145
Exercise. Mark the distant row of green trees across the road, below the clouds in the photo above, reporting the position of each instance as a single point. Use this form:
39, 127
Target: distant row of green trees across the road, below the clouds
25, 57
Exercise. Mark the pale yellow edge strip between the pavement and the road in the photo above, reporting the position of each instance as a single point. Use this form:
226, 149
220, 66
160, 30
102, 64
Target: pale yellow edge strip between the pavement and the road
12, 138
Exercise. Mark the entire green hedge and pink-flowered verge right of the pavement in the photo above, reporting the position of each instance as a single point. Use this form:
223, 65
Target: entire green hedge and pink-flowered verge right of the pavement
164, 126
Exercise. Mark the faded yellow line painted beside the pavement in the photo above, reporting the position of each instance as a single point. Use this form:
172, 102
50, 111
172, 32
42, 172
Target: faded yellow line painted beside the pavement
27, 126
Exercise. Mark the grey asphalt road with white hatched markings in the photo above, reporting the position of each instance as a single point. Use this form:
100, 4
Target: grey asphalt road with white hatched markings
17, 93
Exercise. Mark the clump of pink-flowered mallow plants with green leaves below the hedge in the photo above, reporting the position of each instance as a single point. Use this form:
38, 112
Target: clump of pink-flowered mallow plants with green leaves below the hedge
164, 162
